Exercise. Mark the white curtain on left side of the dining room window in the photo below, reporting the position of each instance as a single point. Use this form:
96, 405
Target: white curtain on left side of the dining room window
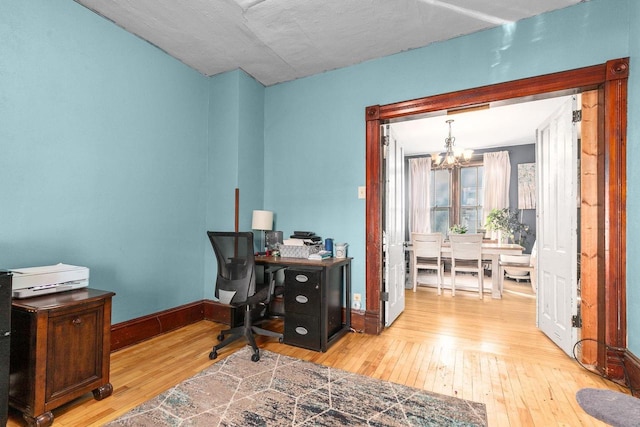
420, 204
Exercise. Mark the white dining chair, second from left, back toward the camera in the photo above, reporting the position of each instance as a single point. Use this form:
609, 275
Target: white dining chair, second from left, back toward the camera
466, 255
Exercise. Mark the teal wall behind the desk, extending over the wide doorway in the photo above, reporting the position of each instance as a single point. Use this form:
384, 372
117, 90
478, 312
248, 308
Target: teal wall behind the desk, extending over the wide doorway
315, 127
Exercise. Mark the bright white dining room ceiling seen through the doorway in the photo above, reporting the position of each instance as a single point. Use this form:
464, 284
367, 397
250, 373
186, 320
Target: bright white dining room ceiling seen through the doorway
497, 126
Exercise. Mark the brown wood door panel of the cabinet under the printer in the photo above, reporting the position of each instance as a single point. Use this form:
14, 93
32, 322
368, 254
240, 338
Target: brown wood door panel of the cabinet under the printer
74, 350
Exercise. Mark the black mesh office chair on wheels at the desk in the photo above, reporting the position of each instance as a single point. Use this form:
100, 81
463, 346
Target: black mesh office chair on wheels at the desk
236, 286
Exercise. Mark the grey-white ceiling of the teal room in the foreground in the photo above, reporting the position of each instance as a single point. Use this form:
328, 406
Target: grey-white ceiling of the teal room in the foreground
281, 40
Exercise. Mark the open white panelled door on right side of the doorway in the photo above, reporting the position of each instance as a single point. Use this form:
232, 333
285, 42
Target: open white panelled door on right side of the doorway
557, 239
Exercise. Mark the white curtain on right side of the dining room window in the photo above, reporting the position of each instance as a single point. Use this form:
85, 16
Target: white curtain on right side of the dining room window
496, 178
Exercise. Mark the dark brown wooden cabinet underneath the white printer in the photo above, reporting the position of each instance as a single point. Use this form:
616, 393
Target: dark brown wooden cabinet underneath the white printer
60, 350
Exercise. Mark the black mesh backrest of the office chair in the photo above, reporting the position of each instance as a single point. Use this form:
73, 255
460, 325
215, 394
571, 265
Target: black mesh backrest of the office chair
236, 280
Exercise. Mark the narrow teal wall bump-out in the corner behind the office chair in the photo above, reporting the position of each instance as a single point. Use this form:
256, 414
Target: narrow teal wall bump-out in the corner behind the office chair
235, 158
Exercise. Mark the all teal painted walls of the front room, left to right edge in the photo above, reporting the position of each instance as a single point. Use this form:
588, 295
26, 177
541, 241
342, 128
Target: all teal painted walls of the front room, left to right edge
119, 157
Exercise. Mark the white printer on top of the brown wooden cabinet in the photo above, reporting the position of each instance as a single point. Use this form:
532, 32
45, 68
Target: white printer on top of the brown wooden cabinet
35, 281
